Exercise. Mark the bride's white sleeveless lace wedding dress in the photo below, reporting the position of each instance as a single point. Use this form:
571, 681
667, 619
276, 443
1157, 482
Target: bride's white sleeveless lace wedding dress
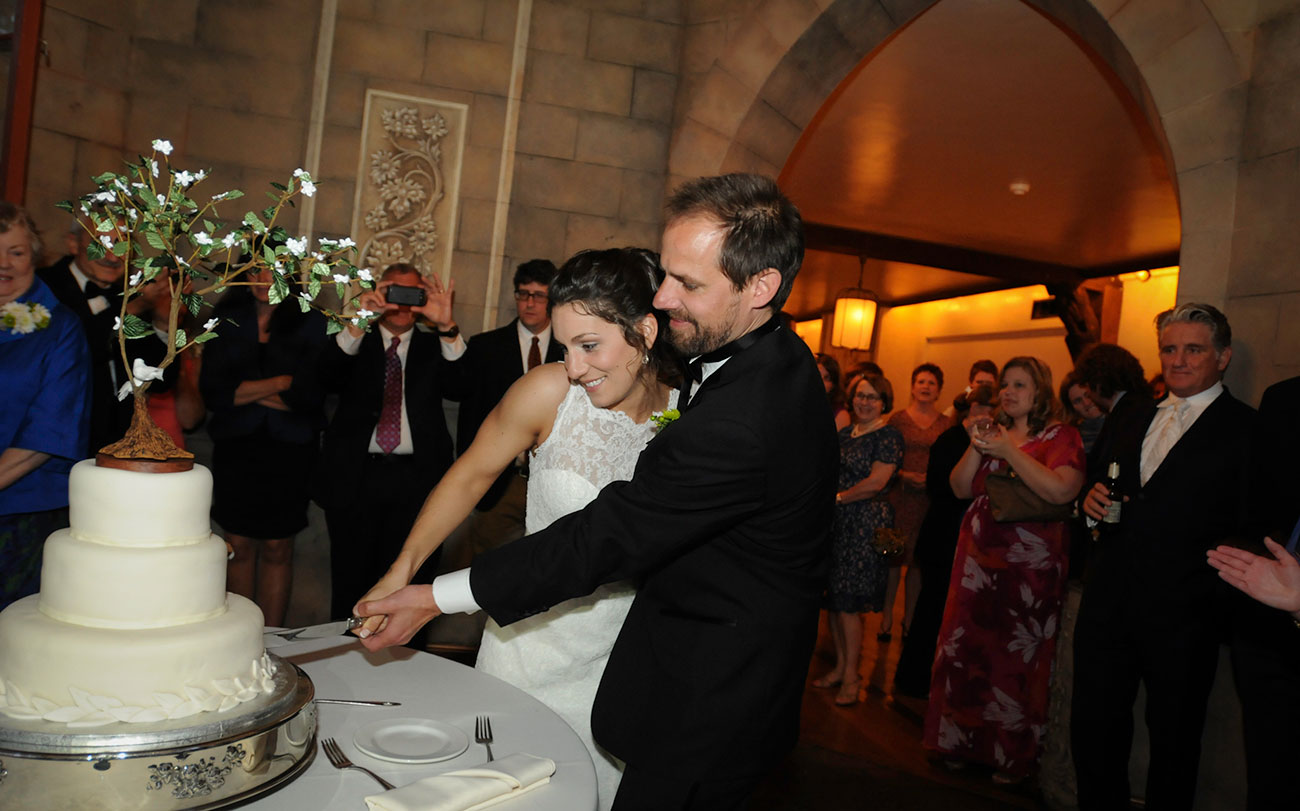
558, 657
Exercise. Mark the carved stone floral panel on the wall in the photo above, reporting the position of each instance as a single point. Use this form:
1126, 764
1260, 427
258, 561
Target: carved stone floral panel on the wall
409, 181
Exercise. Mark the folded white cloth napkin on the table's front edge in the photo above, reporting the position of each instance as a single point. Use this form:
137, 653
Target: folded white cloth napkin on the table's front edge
469, 790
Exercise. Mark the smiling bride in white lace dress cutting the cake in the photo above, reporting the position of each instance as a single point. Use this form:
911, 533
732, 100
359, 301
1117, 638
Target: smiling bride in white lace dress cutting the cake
584, 424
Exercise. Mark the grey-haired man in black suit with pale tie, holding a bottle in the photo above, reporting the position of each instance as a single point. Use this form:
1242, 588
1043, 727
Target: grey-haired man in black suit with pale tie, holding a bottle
1152, 610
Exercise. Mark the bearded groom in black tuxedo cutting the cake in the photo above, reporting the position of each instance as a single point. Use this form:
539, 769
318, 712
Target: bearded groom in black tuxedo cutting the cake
725, 524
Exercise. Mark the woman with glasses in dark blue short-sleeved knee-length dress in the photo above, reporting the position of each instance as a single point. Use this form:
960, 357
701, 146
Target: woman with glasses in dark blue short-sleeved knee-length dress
870, 452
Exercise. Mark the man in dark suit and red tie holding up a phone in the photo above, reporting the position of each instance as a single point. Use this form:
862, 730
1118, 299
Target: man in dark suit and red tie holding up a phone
388, 444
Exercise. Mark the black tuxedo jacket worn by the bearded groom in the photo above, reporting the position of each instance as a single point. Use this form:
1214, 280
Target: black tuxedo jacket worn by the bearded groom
726, 526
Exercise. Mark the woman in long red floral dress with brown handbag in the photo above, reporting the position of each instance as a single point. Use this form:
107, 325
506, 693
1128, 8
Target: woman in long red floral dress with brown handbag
989, 696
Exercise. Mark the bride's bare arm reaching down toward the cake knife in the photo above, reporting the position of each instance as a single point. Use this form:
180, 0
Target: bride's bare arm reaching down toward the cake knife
522, 420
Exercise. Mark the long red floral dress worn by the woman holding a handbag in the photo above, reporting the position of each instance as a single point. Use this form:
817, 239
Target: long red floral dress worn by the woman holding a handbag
989, 693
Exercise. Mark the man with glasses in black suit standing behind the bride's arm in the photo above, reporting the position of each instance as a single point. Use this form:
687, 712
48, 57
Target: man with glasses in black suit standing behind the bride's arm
491, 366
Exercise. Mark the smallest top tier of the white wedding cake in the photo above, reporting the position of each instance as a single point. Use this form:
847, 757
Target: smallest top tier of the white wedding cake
131, 509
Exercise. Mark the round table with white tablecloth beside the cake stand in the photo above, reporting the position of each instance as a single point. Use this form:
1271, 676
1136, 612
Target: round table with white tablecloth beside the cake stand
428, 688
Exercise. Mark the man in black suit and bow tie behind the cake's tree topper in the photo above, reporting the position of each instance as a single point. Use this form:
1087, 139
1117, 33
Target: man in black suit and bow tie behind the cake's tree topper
93, 289
